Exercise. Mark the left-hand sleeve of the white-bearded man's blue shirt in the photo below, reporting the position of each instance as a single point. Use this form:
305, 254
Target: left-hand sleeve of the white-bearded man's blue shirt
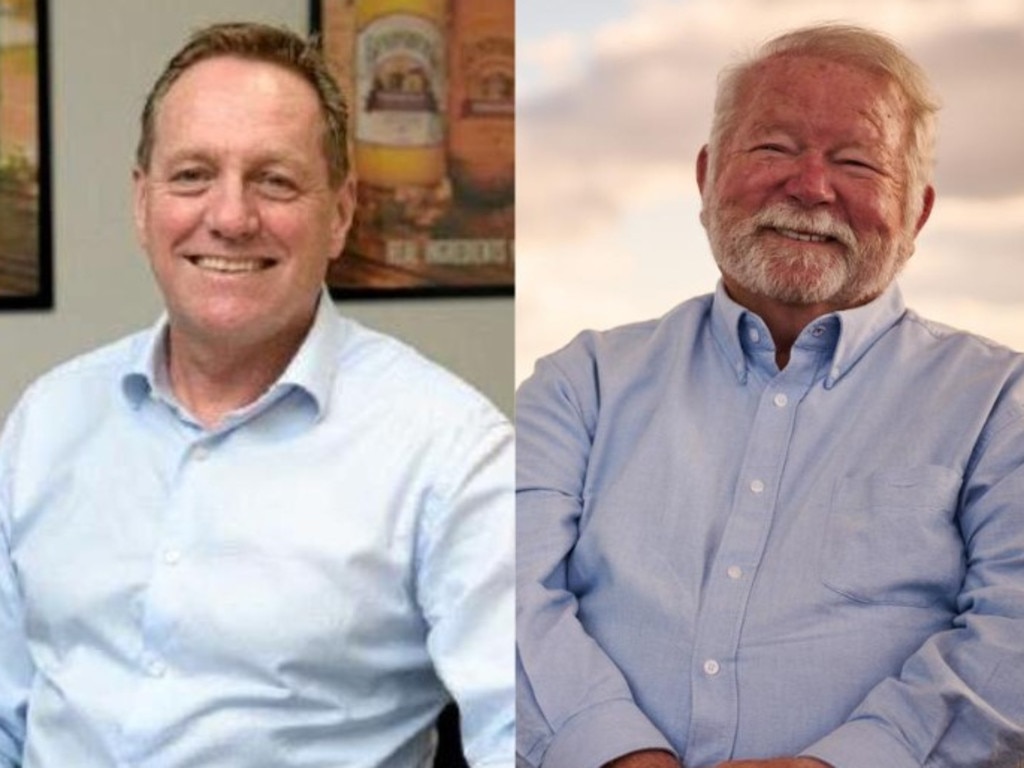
575, 706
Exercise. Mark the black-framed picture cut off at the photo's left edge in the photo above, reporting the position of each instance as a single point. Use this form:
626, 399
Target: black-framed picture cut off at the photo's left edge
26, 259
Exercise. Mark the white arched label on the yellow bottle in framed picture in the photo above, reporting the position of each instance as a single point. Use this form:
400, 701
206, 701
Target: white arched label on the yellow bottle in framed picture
401, 90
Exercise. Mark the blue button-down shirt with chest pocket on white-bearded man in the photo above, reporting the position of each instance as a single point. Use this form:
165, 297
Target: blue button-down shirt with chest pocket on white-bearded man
729, 561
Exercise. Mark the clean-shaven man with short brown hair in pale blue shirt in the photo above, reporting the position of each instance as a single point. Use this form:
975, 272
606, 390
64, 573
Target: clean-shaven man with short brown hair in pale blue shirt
259, 534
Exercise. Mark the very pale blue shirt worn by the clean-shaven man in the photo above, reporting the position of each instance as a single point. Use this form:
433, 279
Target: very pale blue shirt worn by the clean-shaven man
303, 586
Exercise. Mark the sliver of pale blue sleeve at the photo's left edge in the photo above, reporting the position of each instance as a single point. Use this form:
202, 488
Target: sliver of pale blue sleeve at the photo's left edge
17, 670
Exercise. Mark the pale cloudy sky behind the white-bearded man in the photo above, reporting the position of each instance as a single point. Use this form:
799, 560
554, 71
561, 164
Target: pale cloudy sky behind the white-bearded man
615, 101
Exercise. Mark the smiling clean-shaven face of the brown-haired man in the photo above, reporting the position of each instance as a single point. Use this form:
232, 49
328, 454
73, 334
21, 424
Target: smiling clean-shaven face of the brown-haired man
236, 210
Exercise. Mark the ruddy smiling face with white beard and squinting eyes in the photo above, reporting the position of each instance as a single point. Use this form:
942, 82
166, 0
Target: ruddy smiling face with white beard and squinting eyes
806, 201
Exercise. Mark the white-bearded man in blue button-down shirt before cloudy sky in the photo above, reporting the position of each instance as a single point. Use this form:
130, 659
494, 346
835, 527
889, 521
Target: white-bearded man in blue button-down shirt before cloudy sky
782, 526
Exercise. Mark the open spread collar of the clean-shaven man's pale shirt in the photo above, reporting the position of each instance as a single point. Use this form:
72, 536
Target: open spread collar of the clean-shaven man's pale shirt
311, 371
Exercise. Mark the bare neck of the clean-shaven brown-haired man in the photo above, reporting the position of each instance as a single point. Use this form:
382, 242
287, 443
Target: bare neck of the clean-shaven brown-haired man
214, 378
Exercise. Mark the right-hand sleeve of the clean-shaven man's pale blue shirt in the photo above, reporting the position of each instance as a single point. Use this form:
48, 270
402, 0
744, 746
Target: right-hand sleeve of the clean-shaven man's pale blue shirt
466, 583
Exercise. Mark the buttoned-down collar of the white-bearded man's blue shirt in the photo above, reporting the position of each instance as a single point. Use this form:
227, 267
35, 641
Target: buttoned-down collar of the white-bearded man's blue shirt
847, 335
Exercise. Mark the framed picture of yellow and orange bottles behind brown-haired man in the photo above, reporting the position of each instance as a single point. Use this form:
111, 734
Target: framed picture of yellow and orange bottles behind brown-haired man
431, 87
